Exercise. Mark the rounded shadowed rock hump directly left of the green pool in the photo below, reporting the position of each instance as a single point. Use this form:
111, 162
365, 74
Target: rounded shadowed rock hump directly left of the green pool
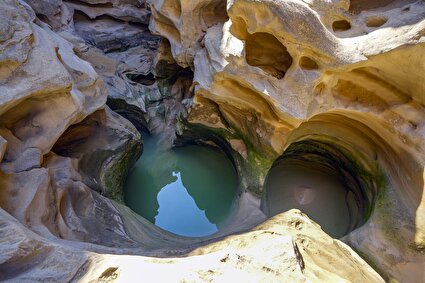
106, 146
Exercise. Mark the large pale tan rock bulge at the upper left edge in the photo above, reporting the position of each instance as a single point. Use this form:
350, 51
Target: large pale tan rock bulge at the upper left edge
46, 90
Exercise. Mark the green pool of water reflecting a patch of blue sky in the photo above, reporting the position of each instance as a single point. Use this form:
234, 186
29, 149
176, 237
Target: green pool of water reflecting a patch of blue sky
187, 190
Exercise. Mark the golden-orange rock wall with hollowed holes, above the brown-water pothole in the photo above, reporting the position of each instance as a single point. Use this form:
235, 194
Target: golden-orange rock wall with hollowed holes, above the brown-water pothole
353, 78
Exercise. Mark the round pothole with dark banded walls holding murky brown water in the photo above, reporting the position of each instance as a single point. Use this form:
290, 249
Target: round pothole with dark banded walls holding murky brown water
322, 181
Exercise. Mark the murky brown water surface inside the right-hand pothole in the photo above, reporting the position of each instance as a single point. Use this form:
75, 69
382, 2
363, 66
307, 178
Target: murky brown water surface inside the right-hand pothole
311, 189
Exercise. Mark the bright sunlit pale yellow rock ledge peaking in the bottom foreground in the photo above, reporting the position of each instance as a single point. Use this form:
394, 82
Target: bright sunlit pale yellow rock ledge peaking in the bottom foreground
286, 246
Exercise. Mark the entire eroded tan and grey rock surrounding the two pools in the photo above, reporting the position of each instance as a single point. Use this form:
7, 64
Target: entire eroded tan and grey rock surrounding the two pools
266, 75
